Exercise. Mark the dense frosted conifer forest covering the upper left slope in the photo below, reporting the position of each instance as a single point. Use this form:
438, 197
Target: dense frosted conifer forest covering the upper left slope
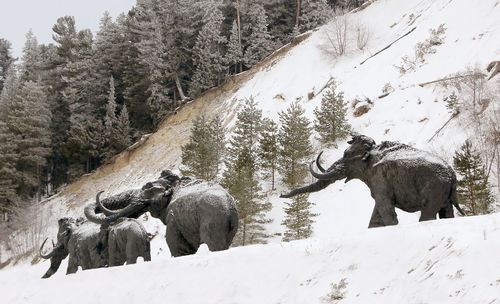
69, 106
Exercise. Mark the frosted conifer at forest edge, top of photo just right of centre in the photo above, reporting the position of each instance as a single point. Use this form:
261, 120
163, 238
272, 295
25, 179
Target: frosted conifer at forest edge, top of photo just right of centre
259, 42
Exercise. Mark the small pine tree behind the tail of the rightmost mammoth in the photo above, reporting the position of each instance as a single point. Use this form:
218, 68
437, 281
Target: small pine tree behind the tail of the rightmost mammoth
474, 192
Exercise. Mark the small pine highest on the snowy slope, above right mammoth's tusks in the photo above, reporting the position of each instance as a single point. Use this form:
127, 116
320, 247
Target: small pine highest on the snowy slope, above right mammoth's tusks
331, 122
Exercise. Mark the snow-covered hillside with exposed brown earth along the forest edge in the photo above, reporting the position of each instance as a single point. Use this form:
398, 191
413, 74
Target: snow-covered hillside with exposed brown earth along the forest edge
443, 261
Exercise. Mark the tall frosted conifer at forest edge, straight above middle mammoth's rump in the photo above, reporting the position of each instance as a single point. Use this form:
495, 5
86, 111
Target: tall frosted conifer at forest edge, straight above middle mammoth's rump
208, 51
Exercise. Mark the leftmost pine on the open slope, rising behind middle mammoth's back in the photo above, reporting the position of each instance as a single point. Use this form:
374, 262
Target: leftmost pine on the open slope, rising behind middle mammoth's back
203, 153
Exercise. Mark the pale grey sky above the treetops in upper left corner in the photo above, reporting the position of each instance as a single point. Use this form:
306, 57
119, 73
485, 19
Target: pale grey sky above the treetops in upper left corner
18, 16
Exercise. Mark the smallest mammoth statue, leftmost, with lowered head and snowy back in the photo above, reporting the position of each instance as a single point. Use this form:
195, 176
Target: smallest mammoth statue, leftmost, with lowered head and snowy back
92, 246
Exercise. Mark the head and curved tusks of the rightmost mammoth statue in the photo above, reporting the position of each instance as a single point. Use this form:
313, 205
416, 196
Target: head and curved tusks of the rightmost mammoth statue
354, 160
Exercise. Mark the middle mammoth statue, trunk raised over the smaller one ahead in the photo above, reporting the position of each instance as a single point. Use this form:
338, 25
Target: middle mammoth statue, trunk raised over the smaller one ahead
194, 211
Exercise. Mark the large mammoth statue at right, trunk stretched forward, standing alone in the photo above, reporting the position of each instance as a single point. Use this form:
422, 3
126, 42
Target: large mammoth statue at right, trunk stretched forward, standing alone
397, 175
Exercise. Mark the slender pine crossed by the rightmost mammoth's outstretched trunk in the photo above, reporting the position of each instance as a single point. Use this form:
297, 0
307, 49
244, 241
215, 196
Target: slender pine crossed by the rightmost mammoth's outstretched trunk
295, 149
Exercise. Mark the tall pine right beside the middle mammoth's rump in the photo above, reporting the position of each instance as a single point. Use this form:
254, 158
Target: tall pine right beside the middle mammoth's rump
241, 179
